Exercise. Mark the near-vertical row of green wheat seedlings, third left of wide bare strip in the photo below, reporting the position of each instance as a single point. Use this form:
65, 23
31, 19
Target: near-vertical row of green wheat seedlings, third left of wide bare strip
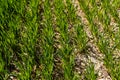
47, 42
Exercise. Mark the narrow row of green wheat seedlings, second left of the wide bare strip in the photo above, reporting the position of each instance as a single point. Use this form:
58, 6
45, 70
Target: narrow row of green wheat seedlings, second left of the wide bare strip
65, 51
